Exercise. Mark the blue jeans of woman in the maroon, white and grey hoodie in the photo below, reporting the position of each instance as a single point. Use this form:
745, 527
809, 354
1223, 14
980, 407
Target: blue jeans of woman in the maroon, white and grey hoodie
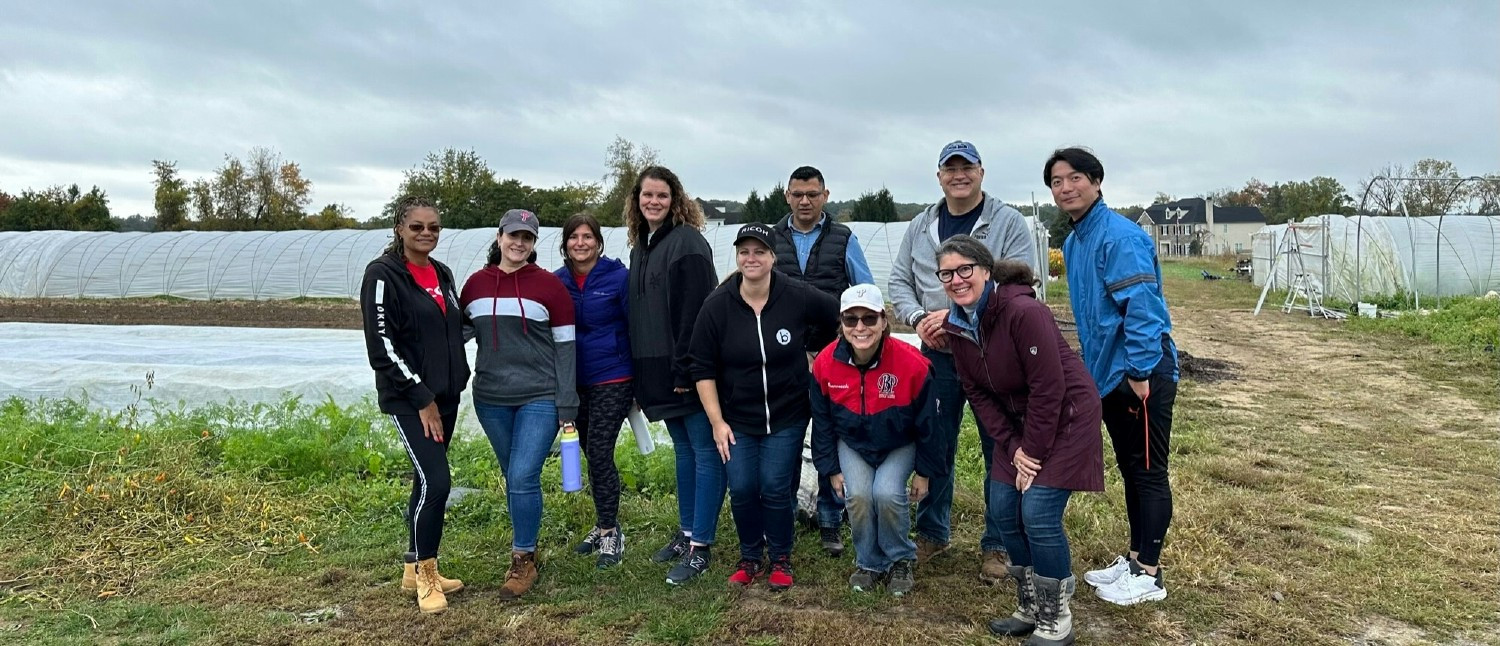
523, 438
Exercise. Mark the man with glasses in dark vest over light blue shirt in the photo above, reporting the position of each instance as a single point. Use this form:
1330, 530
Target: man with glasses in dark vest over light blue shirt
826, 256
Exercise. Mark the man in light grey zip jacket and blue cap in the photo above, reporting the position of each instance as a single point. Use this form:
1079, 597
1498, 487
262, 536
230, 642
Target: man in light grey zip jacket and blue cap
920, 302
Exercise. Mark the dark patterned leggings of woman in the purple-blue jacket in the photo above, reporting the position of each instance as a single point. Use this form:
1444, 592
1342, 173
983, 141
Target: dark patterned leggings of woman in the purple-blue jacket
602, 408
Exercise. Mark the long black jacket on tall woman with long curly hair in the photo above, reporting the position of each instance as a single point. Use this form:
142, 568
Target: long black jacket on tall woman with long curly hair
671, 274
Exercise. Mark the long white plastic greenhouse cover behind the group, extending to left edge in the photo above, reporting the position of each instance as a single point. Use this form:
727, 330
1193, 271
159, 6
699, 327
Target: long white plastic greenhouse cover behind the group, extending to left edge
311, 265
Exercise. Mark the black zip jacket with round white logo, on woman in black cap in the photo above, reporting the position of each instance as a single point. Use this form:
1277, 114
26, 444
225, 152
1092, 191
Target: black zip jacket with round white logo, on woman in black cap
758, 362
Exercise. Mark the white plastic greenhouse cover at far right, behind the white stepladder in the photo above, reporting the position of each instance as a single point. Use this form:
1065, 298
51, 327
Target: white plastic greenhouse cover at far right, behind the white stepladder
1435, 256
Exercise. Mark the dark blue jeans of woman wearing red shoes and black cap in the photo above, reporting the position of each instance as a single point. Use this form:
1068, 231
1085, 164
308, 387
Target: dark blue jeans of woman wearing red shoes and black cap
763, 474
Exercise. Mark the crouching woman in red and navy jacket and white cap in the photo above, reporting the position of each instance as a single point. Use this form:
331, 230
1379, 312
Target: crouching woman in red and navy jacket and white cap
874, 426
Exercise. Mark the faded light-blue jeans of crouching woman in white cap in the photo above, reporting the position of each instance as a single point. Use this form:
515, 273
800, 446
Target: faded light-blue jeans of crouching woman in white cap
878, 507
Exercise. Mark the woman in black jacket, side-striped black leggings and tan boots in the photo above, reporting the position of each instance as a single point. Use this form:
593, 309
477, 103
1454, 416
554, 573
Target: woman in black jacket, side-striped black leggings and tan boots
415, 339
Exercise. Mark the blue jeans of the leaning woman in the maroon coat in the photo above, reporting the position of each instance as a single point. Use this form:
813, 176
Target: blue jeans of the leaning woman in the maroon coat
1031, 527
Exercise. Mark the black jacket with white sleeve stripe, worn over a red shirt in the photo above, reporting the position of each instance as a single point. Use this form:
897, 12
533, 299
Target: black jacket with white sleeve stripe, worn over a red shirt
416, 348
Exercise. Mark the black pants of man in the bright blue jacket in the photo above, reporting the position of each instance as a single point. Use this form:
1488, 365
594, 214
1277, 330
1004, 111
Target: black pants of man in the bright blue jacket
1148, 492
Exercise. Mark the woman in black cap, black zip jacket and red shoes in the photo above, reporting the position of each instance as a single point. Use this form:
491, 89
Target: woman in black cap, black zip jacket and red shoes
751, 368
